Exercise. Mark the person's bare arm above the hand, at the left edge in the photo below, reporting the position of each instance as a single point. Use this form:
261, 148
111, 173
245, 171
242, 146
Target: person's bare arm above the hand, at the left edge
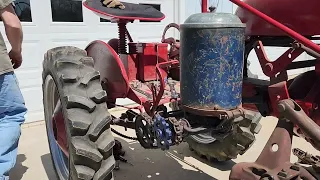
12, 25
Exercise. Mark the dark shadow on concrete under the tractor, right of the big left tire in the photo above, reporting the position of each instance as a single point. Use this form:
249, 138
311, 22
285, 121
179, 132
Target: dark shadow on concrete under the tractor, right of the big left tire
156, 164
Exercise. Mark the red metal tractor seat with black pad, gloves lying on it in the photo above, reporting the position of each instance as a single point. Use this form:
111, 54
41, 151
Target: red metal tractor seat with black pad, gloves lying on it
131, 11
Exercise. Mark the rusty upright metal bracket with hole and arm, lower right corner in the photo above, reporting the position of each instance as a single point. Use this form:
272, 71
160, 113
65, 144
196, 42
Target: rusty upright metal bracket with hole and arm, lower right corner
274, 161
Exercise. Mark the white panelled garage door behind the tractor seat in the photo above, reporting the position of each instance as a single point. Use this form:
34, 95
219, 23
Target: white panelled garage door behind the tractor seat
51, 23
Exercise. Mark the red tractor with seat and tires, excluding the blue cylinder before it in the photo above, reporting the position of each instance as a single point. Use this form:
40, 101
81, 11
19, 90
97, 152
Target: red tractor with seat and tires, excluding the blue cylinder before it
79, 86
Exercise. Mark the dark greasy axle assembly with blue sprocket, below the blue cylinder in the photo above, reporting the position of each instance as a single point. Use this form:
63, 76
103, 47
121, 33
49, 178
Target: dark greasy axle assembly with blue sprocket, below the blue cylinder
166, 129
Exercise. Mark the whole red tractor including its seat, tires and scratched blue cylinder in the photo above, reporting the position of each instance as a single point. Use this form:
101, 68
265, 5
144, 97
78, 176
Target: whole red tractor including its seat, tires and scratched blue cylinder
214, 104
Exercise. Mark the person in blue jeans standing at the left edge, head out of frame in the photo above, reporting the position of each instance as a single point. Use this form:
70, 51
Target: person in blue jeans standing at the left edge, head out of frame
12, 105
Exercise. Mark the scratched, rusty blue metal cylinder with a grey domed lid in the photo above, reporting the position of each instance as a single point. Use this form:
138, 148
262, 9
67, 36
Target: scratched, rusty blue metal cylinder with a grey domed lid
211, 61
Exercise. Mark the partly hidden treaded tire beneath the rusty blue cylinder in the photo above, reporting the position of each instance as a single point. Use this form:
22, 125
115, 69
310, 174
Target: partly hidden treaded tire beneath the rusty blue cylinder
237, 142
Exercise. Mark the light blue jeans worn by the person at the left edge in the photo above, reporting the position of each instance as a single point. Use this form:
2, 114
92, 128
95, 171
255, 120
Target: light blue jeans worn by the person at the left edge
12, 111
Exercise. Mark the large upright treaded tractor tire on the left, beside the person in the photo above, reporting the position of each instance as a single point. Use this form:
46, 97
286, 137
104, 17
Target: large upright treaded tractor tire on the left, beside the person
70, 79
